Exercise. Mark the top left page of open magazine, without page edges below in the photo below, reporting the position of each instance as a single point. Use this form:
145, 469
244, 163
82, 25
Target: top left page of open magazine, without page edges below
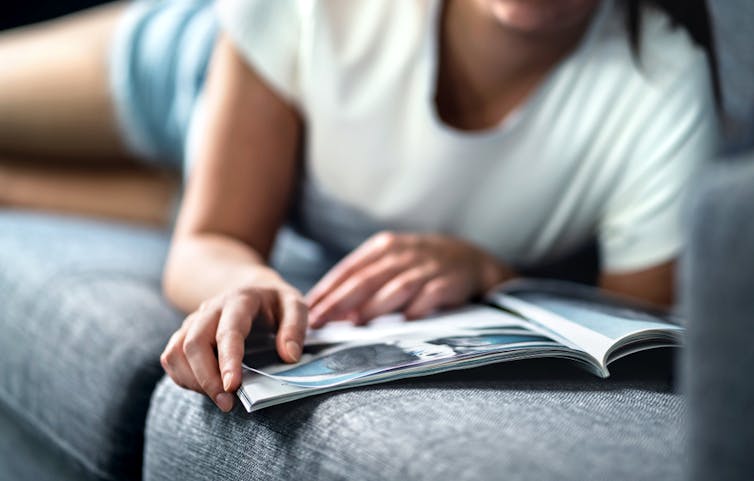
384, 347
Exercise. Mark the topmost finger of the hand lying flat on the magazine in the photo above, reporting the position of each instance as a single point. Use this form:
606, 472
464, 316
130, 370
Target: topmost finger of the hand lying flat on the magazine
368, 252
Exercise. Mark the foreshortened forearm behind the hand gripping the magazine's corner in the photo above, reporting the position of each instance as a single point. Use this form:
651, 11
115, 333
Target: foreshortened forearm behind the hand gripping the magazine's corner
201, 266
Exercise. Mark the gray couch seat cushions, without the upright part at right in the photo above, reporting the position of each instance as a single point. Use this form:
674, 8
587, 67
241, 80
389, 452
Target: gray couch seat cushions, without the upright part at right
83, 323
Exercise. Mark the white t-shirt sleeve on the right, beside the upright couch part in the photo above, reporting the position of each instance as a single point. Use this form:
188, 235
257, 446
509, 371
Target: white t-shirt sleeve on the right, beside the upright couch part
641, 224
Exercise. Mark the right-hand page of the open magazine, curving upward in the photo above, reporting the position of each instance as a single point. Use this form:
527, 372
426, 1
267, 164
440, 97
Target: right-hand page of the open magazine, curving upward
590, 319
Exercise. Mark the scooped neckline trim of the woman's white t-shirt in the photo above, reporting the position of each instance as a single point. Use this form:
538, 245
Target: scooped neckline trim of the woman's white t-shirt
517, 114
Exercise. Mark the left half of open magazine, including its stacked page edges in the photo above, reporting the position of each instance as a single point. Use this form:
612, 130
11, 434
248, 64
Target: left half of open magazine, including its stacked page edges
341, 355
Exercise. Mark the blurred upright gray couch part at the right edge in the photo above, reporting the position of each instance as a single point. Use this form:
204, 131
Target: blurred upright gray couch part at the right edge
718, 290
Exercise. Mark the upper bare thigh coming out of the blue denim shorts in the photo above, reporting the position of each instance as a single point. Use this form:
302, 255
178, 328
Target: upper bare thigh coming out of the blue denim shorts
54, 92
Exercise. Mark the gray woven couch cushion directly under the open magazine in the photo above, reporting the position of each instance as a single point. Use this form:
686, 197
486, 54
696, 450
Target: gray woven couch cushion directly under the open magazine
529, 420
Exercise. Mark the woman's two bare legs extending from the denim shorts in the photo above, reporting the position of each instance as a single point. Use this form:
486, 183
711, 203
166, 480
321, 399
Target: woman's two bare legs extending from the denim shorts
59, 143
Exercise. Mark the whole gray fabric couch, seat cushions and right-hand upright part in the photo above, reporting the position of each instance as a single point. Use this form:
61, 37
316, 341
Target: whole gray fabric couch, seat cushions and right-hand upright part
82, 394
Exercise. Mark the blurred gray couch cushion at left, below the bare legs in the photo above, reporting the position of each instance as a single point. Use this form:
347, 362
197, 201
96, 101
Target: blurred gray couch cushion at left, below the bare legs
82, 323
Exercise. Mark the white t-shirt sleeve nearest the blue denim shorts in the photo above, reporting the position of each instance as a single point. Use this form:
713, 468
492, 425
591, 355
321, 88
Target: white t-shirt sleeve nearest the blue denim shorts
267, 33
